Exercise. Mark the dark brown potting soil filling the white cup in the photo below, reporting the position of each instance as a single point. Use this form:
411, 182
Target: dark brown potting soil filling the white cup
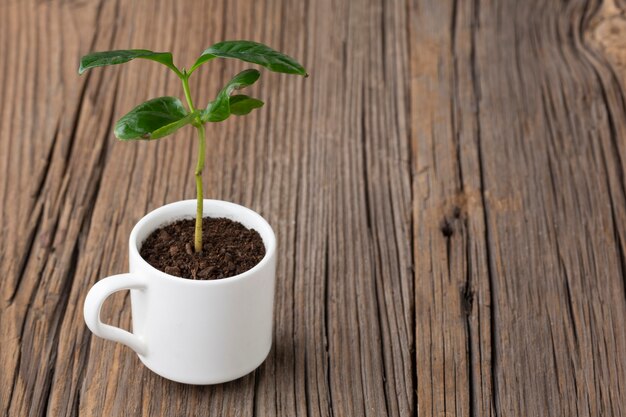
228, 249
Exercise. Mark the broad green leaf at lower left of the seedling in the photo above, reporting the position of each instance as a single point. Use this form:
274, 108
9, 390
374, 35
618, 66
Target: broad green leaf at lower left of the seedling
153, 119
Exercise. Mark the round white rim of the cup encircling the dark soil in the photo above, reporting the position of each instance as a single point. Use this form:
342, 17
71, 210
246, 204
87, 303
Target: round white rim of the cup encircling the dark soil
270, 245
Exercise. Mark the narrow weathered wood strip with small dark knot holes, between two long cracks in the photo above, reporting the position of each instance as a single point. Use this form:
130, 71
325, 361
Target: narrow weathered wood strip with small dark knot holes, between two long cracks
452, 287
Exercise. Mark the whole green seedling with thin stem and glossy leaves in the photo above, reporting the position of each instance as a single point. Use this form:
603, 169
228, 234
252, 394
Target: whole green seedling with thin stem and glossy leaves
163, 116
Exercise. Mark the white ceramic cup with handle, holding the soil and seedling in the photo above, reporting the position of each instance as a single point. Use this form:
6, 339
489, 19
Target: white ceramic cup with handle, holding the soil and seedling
192, 331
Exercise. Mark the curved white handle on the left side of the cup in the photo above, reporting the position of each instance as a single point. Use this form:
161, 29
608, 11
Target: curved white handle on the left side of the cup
93, 303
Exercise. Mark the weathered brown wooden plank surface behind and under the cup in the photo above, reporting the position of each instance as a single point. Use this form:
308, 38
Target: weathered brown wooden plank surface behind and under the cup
448, 190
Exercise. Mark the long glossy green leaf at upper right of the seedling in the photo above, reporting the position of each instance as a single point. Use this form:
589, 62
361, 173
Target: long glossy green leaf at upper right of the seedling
253, 52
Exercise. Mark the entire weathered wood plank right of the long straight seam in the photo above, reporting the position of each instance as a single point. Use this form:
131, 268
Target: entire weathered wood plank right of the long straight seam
519, 190
